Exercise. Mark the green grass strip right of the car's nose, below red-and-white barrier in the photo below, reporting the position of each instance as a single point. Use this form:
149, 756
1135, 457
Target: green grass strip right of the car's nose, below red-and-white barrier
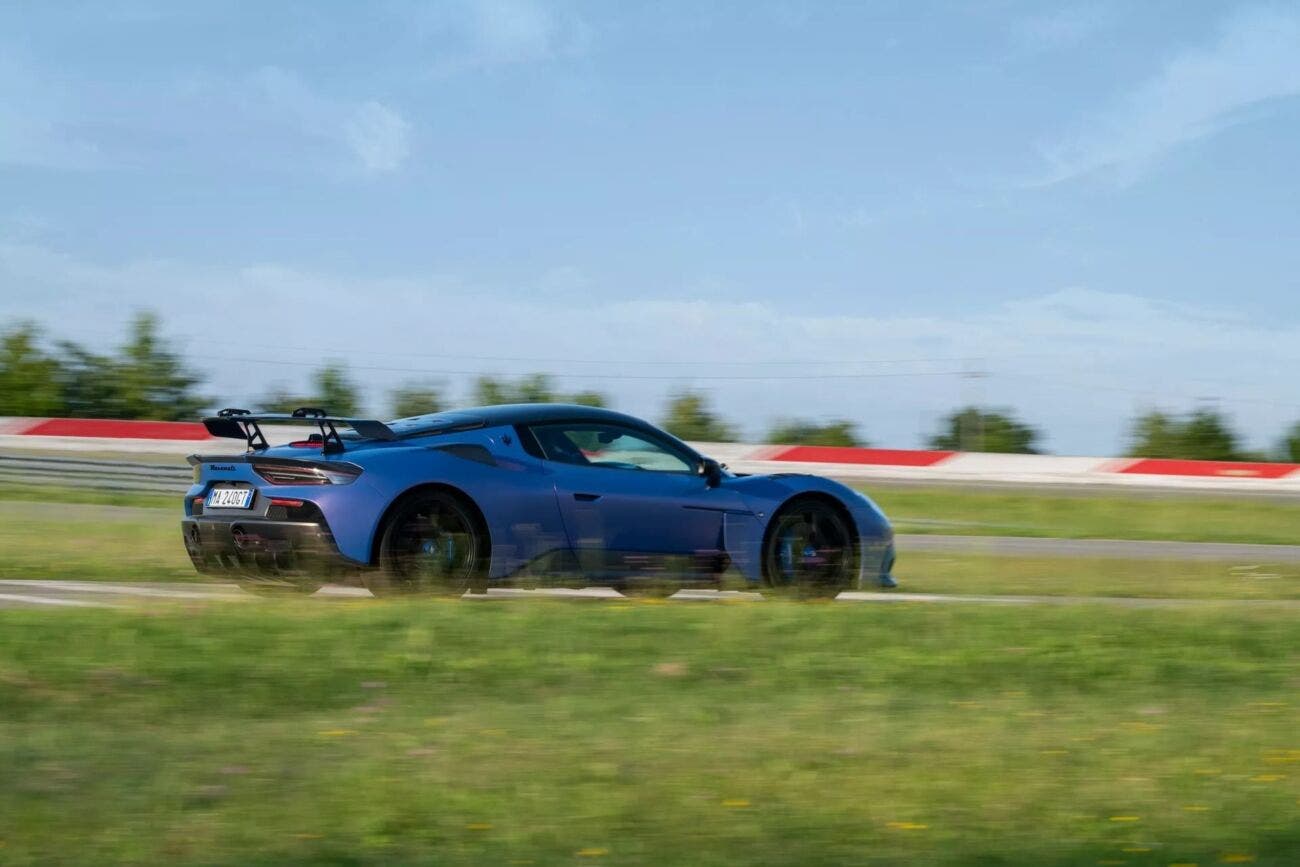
1191, 519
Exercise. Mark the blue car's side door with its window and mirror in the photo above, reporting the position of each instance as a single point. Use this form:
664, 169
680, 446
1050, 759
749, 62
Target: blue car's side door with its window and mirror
631, 501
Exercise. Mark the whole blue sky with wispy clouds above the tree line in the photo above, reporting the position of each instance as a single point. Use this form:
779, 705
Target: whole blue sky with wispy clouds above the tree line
812, 210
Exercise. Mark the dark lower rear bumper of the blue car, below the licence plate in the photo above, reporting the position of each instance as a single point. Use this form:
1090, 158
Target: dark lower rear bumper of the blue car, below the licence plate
257, 548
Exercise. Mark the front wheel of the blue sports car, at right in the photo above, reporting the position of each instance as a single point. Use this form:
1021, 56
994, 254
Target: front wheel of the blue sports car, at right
811, 550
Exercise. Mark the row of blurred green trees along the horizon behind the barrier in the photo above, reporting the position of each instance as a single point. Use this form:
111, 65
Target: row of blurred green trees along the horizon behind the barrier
146, 379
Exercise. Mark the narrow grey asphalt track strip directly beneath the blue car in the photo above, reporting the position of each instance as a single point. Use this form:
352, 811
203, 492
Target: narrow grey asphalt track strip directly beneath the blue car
102, 595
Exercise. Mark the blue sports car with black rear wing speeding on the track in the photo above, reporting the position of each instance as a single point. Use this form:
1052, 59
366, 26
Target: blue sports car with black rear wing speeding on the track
456, 502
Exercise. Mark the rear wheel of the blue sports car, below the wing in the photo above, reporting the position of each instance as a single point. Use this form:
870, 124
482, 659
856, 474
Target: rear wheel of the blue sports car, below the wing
432, 544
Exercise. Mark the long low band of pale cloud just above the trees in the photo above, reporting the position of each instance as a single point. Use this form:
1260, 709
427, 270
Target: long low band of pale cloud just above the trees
1077, 362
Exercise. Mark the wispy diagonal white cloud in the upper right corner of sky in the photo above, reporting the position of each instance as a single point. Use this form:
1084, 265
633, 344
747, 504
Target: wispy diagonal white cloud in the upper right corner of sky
1199, 93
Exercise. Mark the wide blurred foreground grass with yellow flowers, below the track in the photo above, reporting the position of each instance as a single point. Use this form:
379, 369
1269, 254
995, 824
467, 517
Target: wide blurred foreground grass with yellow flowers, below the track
548, 734
